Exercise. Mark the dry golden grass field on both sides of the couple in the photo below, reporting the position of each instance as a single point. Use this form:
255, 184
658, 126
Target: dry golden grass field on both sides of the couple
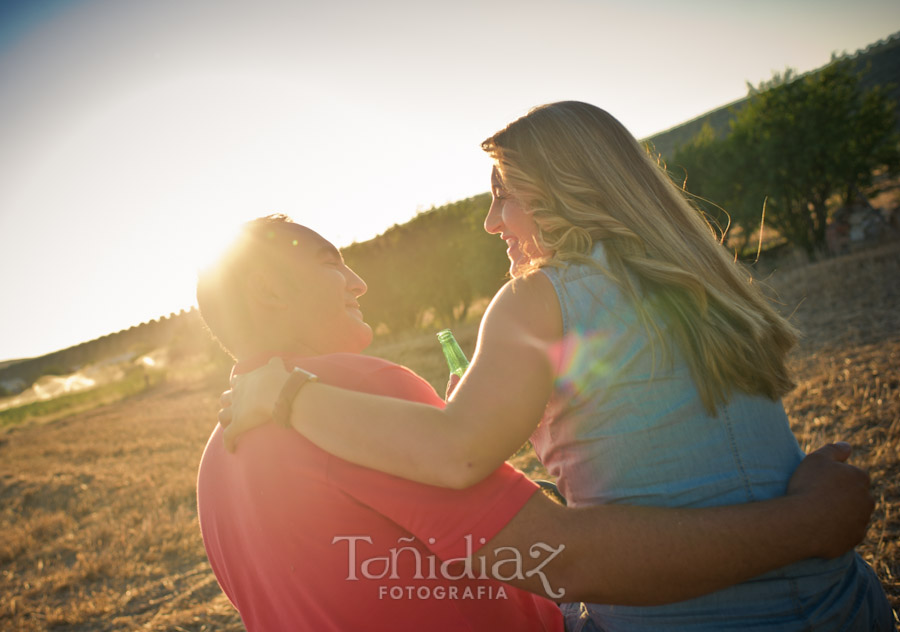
98, 510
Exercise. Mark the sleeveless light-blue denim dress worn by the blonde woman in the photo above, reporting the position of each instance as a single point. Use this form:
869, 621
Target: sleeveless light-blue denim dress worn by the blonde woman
622, 426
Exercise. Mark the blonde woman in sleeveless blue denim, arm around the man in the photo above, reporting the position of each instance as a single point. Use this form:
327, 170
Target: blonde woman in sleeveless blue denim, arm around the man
640, 360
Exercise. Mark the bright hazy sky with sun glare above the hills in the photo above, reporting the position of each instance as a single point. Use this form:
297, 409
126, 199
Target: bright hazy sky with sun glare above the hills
135, 133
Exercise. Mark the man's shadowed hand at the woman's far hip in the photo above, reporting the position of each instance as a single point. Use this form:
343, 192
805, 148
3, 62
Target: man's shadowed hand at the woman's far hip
839, 499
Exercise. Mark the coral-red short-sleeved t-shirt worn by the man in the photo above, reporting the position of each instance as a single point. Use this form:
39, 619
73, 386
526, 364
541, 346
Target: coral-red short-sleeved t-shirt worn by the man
301, 540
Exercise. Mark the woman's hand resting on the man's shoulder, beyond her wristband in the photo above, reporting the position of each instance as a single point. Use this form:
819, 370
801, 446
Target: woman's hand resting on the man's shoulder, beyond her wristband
251, 399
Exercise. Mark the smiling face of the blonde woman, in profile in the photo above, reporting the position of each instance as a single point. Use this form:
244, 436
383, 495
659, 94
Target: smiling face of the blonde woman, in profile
508, 218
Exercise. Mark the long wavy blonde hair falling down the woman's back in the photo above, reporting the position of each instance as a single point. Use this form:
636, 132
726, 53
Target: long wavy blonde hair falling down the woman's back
586, 179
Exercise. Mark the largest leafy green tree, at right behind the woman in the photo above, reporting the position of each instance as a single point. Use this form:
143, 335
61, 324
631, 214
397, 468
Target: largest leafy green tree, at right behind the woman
799, 142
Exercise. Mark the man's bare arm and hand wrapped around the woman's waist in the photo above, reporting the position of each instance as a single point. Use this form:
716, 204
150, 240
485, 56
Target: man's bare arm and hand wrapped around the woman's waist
628, 555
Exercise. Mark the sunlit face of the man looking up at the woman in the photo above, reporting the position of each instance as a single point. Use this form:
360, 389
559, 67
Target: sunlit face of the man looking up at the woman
318, 308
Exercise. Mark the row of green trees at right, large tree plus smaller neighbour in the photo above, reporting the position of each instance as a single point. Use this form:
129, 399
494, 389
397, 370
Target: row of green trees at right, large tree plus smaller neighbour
798, 148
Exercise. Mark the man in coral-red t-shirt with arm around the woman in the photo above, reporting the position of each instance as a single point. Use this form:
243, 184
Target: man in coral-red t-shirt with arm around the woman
299, 539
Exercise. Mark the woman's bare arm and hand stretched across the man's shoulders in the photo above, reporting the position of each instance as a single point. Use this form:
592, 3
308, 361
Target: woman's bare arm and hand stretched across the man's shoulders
492, 412
